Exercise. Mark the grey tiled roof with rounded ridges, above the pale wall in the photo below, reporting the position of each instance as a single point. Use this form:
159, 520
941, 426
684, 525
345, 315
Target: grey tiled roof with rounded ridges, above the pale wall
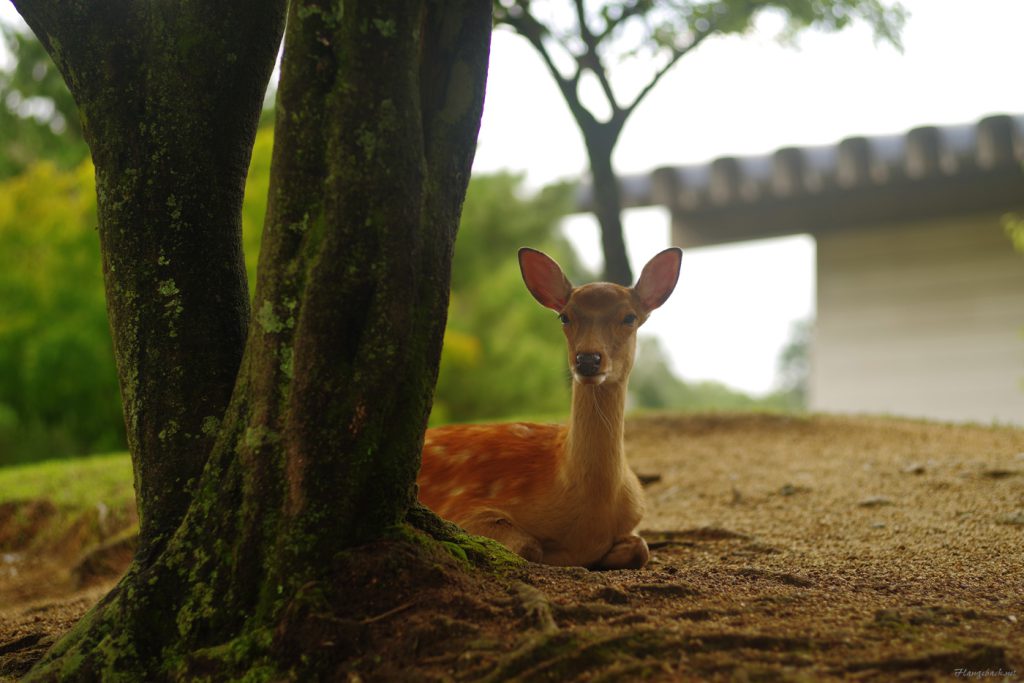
927, 173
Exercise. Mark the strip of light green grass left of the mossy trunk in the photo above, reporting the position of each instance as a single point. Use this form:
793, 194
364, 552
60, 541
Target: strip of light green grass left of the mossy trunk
78, 483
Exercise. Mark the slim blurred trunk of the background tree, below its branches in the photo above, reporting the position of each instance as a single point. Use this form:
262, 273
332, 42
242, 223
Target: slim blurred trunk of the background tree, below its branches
601, 141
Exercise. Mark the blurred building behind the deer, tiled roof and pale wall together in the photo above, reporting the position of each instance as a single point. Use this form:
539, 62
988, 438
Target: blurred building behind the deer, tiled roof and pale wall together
920, 292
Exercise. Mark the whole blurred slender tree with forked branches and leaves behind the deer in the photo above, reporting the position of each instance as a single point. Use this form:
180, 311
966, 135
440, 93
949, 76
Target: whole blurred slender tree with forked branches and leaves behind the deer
583, 40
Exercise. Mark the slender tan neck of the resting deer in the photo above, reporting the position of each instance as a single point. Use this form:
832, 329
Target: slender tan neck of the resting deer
595, 455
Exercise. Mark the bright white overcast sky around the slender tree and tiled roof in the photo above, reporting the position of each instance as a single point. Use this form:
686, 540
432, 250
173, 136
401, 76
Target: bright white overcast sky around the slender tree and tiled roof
735, 306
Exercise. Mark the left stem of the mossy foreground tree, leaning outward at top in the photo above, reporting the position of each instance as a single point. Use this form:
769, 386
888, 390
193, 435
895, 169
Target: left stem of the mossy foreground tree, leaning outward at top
169, 96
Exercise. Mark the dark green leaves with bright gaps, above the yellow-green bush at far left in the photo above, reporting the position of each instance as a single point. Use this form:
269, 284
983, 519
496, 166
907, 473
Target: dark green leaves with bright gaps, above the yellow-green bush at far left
38, 115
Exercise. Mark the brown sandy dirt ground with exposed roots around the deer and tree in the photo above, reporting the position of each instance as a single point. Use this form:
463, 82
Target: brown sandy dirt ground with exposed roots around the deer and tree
785, 549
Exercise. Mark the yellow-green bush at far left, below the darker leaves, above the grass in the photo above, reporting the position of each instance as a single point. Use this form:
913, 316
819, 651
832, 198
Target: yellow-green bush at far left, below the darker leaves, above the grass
59, 393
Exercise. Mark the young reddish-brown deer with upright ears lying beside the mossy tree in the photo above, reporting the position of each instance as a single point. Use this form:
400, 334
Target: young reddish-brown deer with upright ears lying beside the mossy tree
552, 494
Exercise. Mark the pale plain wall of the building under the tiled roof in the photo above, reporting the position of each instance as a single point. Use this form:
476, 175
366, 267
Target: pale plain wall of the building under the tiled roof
923, 320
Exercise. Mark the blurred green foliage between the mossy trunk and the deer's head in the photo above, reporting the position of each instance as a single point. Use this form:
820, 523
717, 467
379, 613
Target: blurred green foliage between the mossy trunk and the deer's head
504, 354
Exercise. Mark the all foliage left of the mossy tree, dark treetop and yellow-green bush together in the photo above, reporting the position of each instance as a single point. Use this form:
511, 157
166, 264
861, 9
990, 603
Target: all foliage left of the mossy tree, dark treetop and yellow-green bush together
59, 393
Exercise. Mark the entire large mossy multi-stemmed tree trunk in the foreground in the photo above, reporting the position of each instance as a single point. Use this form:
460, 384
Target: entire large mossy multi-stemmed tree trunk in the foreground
264, 458
